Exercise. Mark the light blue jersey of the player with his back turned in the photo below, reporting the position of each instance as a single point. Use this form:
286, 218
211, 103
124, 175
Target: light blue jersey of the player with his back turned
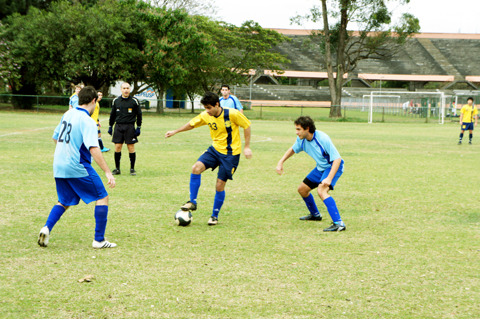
75, 134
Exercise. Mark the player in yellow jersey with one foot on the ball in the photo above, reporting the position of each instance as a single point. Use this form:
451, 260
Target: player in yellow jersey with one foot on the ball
224, 153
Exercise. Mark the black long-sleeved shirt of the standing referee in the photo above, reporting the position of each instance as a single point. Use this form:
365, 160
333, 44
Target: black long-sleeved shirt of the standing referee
125, 111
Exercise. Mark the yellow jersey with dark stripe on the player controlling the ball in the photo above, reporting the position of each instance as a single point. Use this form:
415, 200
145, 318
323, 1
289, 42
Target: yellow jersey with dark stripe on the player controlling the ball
224, 129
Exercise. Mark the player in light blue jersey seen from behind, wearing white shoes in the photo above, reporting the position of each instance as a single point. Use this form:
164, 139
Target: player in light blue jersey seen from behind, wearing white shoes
76, 143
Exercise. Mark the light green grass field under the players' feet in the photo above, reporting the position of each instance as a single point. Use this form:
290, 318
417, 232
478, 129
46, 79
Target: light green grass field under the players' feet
409, 197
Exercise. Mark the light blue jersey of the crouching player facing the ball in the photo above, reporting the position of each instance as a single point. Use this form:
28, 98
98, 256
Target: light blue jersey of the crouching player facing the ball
320, 148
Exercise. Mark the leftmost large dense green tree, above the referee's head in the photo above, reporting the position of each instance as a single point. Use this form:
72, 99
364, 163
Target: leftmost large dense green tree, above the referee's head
95, 45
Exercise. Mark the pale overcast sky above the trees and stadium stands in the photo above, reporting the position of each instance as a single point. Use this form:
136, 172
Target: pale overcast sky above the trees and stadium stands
440, 16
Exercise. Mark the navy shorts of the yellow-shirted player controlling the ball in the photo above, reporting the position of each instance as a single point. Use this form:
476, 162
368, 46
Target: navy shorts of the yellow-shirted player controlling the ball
228, 163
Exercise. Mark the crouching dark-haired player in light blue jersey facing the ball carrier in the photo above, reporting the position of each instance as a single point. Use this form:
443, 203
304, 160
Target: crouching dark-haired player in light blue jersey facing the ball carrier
325, 175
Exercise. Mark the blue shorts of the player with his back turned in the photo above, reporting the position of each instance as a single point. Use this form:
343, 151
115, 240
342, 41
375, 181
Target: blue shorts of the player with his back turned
89, 189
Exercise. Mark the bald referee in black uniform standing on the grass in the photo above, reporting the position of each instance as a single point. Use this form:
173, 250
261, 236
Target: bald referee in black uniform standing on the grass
125, 112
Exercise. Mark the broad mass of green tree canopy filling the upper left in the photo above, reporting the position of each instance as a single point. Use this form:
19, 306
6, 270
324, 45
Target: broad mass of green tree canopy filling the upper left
98, 43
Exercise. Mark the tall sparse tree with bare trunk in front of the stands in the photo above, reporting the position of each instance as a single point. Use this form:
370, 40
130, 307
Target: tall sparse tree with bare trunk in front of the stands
377, 38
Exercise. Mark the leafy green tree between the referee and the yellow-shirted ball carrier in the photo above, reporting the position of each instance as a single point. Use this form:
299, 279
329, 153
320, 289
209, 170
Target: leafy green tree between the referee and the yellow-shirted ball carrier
175, 50
